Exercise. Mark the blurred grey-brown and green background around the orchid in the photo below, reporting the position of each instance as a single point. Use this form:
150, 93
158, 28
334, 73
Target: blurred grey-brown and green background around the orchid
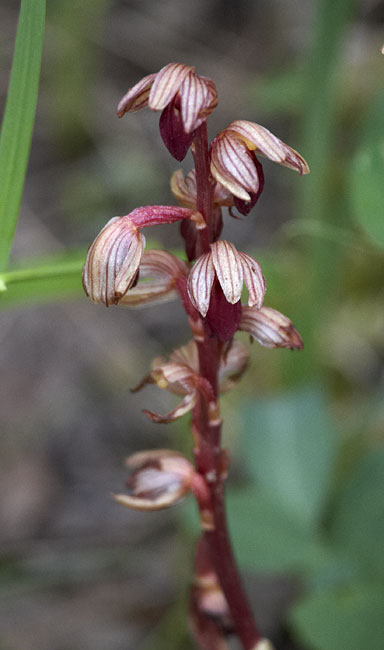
305, 429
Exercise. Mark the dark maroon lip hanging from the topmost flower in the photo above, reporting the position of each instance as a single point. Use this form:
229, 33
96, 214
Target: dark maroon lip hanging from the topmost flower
172, 131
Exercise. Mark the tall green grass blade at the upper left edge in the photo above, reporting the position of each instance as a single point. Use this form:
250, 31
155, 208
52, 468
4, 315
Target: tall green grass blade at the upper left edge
17, 126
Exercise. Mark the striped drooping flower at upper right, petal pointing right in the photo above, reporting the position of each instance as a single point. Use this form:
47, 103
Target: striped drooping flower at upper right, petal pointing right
234, 163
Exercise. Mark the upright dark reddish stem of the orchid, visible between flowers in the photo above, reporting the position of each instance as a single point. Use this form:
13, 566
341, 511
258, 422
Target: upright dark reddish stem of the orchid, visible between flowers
208, 453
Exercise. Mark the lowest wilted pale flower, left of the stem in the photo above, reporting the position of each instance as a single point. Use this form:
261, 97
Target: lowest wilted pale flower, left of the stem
159, 478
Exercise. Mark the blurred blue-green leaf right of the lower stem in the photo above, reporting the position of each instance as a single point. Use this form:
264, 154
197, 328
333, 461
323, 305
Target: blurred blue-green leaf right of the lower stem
290, 445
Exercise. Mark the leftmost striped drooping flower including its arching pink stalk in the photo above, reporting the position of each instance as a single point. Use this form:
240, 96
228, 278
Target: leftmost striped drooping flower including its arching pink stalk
114, 257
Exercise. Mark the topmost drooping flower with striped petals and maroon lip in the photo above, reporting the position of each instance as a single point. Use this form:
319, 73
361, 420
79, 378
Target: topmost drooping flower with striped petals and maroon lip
185, 99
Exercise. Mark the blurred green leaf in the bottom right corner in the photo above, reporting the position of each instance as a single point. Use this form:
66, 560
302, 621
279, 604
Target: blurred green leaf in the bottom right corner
344, 619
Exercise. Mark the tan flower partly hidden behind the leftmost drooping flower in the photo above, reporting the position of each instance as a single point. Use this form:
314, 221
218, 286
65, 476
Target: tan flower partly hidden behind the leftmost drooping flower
160, 271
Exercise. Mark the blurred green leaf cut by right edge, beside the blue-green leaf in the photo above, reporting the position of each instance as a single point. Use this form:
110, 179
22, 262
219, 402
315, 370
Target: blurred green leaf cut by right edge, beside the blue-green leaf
358, 526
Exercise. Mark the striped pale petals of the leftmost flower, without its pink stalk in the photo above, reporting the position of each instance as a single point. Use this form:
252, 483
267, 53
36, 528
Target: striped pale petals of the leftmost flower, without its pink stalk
113, 260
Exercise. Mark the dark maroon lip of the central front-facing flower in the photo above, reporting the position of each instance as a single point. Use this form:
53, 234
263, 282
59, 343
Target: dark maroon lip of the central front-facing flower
223, 318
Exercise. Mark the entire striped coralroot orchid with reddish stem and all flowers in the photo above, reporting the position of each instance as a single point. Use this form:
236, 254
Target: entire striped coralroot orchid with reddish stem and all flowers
209, 285
